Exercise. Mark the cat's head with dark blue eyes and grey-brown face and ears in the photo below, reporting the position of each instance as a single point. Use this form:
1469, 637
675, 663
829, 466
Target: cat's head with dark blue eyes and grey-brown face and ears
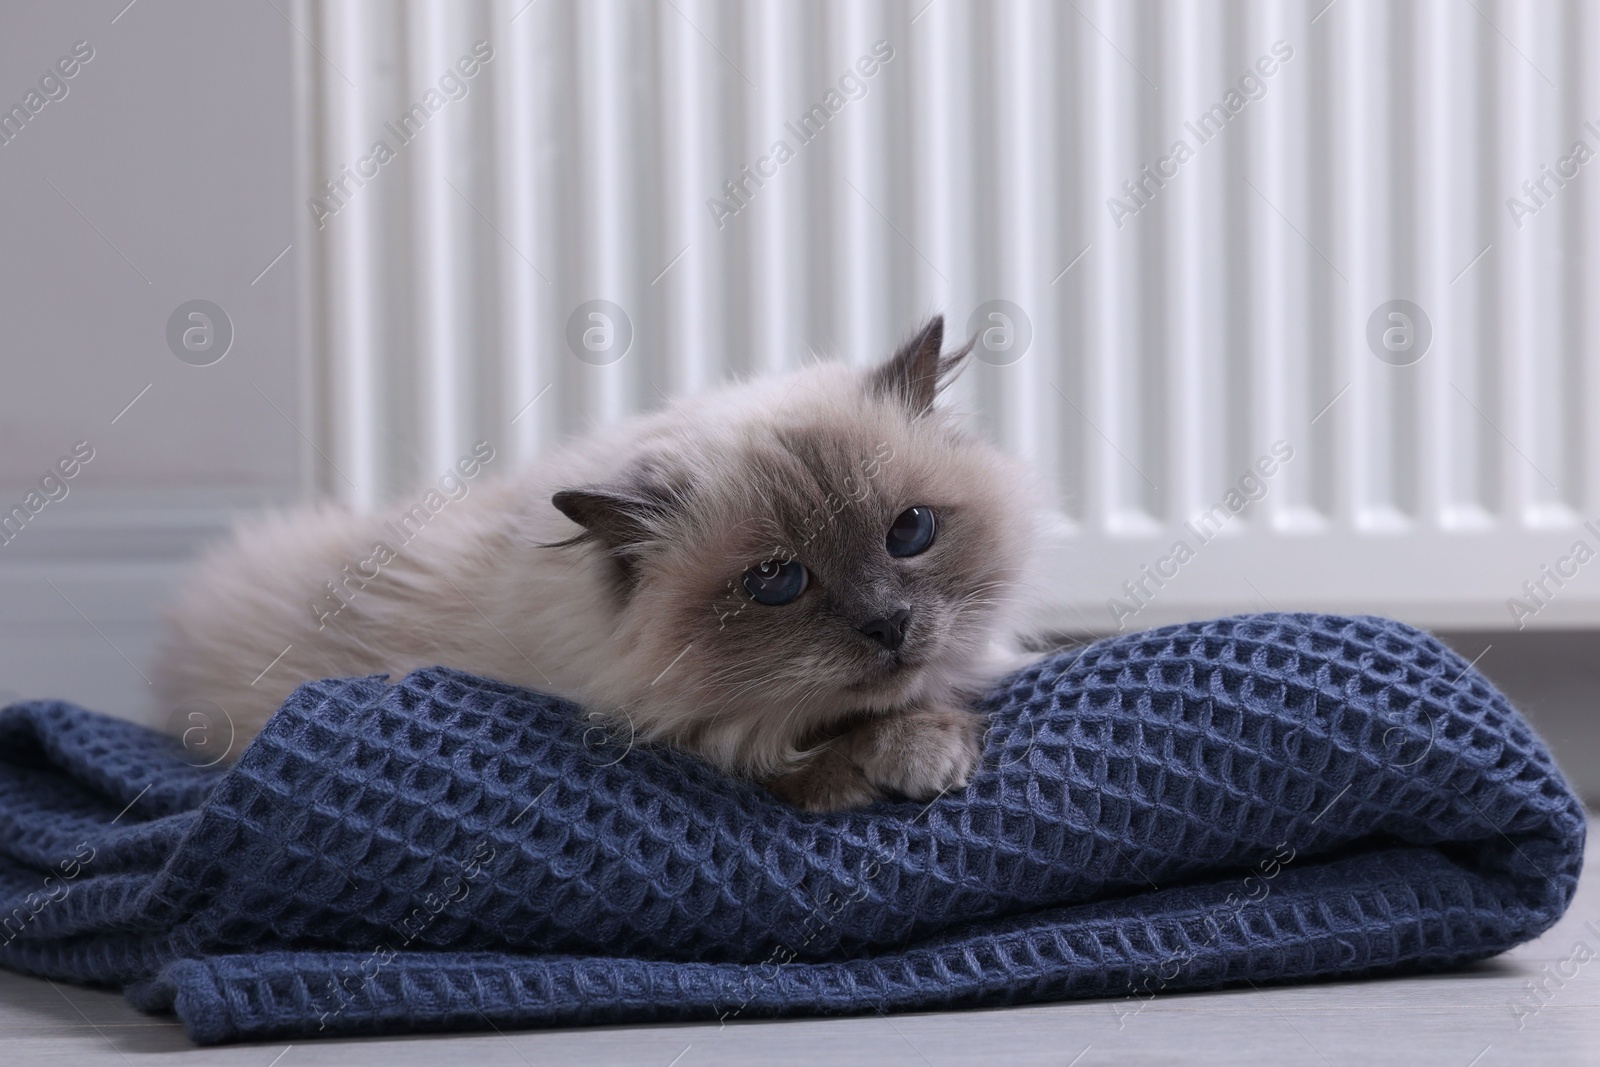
796, 551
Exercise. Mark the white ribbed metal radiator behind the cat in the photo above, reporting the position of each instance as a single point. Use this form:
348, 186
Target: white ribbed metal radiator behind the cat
1182, 311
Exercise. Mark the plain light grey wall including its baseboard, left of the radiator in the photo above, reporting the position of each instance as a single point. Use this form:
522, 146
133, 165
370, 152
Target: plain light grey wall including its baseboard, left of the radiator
159, 178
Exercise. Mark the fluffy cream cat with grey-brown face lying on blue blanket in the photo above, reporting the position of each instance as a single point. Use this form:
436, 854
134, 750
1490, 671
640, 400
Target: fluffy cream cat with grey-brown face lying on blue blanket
802, 580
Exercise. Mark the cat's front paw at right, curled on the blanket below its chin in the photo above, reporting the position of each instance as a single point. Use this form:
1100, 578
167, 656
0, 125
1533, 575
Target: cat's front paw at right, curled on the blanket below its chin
919, 753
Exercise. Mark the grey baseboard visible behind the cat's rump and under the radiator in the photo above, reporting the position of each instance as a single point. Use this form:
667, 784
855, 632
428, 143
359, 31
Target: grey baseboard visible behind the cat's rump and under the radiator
84, 585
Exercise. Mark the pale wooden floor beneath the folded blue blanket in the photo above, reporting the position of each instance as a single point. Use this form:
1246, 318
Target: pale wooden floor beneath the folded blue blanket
1462, 1020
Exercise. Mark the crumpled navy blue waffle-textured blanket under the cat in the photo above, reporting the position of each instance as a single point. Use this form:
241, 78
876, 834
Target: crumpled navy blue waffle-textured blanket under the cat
1255, 799
